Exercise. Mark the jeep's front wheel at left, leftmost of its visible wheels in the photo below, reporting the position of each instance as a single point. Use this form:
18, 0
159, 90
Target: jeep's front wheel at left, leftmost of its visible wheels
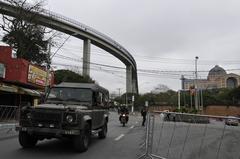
26, 140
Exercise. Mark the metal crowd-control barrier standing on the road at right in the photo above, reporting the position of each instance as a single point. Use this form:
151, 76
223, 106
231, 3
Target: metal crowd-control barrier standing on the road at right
171, 135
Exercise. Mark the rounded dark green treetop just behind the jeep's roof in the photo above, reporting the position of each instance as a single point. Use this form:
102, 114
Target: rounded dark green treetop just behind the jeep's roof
70, 76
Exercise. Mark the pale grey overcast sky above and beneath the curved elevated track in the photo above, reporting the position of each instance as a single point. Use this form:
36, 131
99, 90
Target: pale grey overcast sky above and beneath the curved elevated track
162, 35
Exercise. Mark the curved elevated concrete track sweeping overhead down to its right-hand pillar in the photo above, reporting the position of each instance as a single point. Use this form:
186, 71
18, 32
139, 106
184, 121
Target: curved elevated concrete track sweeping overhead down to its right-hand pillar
81, 31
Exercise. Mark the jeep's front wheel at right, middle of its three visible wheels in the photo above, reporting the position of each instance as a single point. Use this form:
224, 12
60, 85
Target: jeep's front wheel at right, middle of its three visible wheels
82, 141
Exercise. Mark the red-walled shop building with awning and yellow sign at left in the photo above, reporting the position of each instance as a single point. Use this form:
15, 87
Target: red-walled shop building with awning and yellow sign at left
21, 81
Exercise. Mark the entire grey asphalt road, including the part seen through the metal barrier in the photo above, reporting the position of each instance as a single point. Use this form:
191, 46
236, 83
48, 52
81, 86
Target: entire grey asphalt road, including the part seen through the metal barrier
172, 140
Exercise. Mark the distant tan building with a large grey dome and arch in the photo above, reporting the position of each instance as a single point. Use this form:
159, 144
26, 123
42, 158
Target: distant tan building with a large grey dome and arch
217, 78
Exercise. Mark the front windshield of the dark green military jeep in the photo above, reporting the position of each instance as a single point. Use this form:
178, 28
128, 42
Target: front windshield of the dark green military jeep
70, 95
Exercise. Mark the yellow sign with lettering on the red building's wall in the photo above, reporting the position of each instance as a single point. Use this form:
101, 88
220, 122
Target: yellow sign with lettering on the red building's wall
37, 75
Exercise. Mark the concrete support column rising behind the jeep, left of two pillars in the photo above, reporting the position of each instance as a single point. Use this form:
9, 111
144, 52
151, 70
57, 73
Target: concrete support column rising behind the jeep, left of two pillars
86, 57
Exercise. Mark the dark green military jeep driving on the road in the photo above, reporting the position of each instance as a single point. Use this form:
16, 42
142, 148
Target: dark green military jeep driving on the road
71, 110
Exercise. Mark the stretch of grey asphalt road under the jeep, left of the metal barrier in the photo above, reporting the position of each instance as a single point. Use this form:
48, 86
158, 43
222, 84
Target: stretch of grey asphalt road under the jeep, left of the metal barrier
121, 142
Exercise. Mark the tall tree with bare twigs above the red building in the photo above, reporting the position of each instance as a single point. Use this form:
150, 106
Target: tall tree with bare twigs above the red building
24, 36
